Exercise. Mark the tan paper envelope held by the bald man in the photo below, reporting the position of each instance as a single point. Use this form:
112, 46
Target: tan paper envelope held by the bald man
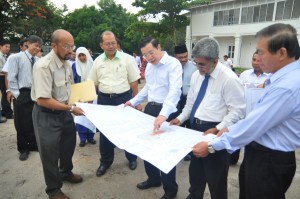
82, 92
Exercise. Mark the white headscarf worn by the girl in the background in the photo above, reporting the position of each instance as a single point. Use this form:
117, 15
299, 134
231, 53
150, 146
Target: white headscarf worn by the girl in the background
83, 69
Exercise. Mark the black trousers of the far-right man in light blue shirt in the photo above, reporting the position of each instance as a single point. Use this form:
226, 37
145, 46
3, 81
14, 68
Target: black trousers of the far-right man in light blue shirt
267, 173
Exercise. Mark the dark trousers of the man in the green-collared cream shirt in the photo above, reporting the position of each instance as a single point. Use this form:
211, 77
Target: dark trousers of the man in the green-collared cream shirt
106, 147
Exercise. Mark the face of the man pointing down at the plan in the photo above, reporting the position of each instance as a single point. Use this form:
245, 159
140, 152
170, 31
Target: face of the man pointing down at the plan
152, 54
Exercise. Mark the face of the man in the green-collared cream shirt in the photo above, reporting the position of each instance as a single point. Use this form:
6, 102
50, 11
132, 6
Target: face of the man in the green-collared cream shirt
109, 45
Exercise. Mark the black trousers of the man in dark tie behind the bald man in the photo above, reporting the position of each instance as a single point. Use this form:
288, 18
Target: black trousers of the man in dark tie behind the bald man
23, 123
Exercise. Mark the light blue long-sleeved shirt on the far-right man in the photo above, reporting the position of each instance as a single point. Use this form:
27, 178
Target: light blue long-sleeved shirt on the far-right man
275, 120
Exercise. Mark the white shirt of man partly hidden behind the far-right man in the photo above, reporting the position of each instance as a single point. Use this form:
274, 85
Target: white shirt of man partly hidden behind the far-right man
248, 77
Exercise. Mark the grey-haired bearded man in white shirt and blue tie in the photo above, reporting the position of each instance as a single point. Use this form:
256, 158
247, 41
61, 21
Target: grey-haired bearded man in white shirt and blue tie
215, 100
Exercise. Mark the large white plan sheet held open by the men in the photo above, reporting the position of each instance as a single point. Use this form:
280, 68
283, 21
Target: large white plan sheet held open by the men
132, 131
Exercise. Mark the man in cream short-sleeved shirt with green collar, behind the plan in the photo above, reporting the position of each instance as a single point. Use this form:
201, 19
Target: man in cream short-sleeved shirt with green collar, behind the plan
114, 75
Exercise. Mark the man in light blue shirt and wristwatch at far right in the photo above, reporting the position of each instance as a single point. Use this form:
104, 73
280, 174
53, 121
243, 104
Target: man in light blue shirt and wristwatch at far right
270, 131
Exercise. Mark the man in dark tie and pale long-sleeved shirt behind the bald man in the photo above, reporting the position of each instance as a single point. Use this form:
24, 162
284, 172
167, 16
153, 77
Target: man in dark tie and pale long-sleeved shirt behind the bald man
19, 83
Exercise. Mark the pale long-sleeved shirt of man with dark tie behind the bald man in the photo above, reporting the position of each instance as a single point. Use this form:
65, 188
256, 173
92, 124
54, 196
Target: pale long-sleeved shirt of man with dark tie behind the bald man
19, 74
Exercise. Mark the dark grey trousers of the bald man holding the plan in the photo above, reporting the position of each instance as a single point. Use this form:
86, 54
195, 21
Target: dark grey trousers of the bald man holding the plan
56, 137
